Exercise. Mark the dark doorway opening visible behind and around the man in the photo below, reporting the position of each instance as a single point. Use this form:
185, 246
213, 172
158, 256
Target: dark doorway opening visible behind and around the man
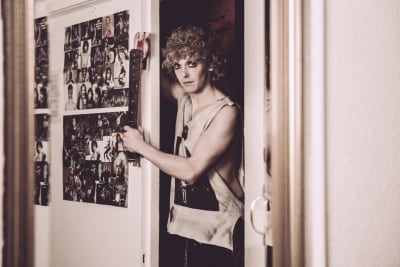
226, 18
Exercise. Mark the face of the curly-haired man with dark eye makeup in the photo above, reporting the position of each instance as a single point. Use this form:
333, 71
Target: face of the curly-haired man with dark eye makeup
192, 75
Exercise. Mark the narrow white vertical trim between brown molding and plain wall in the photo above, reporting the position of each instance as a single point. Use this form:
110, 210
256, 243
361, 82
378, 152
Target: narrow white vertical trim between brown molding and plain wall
315, 139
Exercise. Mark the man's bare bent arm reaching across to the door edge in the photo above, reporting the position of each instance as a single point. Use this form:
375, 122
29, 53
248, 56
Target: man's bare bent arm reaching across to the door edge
208, 149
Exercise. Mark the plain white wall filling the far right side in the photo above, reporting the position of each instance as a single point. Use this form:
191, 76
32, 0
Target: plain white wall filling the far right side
362, 132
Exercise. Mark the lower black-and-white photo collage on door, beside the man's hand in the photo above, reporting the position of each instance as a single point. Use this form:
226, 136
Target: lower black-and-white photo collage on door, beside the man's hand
94, 159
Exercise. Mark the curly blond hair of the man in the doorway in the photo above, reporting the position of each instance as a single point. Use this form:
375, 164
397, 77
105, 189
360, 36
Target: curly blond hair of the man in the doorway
195, 42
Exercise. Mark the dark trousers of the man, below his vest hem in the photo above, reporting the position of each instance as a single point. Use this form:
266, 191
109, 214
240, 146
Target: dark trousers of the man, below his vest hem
185, 252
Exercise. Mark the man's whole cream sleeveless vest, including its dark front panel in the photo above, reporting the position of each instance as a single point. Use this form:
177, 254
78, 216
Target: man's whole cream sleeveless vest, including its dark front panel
207, 210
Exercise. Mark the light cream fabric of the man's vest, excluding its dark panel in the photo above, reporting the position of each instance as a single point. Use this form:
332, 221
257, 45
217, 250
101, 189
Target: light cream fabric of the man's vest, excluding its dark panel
204, 226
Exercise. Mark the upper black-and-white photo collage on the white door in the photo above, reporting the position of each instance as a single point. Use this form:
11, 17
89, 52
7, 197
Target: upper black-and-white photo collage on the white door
96, 63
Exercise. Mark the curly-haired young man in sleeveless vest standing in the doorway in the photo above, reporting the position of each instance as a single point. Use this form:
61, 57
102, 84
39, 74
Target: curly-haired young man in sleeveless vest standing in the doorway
206, 203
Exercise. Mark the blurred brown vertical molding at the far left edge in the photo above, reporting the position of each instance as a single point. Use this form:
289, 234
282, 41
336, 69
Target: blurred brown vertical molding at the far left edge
18, 133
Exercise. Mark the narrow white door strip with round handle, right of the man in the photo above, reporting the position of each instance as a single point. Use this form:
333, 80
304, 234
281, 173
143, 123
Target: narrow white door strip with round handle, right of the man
255, 133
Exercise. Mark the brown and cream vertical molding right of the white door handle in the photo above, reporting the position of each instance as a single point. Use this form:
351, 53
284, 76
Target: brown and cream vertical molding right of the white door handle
287, 132
